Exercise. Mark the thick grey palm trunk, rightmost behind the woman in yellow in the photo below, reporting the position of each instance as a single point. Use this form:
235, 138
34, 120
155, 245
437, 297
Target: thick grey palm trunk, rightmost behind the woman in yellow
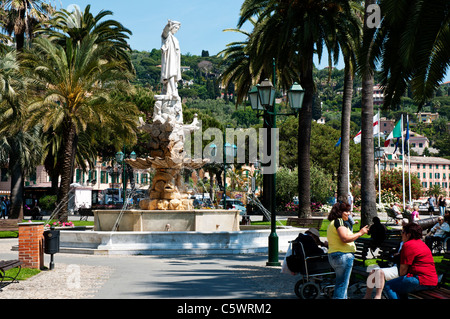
368, 193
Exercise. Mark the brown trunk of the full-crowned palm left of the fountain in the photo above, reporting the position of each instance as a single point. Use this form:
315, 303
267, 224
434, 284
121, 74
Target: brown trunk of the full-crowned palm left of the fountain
66, 175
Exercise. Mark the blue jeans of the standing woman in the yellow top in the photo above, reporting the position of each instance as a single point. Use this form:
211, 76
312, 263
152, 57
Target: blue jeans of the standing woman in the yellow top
342, 264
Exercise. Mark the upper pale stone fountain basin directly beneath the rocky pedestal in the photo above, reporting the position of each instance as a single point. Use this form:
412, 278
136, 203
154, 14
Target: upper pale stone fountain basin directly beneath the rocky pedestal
200, 220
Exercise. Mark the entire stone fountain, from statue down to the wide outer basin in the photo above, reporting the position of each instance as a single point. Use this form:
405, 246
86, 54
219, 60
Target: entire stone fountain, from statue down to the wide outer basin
166, 222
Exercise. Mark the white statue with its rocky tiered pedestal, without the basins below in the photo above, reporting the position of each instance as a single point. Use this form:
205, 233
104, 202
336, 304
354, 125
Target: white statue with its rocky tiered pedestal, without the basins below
167, 133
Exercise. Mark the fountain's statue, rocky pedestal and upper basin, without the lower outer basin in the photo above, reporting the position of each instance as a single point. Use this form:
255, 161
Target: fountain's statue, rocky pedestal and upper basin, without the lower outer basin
168, 206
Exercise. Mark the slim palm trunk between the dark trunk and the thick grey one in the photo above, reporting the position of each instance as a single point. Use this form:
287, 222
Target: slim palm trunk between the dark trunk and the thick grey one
343, 174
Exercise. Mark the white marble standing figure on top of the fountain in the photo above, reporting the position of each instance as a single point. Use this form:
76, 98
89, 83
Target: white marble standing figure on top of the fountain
170, 60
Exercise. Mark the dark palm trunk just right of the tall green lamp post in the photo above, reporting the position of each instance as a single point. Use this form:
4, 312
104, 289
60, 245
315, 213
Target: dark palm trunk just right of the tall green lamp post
304, 135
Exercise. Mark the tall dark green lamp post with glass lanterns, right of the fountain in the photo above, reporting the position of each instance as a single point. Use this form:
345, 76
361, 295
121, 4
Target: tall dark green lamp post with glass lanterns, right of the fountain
262, 98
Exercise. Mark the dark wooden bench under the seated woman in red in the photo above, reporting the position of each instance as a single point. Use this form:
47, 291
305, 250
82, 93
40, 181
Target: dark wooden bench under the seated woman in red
442, 291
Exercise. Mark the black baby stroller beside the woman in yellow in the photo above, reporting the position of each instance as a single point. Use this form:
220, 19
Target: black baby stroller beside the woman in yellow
318, 276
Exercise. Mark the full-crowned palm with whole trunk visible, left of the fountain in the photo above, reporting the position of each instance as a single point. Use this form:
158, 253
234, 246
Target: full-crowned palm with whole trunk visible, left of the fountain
75, 87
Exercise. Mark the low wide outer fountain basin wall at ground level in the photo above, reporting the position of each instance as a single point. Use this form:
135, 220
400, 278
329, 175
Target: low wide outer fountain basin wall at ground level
173, 243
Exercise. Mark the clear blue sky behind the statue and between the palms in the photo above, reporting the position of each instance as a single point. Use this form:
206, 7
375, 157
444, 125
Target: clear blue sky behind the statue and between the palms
202, 22
